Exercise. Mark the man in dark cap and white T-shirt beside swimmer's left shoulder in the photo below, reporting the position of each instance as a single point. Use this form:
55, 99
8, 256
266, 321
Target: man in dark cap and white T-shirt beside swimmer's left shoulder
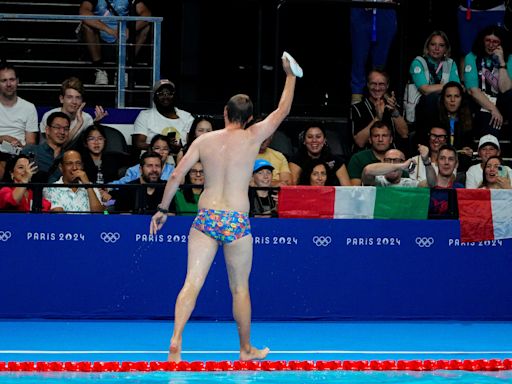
164, 118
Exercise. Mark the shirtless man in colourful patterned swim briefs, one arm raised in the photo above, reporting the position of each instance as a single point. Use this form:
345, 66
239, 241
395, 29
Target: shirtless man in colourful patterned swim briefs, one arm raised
228, 157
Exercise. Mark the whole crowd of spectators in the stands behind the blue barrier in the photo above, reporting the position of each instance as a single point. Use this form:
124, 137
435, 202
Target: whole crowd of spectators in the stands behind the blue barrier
445, 130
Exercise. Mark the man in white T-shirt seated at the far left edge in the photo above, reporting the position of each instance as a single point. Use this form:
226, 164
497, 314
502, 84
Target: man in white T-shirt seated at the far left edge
18, 117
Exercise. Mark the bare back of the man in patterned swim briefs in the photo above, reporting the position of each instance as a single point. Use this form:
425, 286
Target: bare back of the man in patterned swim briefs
227, 156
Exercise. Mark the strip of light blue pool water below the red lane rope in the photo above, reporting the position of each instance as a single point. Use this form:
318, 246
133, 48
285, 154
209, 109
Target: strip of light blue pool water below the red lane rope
240, 377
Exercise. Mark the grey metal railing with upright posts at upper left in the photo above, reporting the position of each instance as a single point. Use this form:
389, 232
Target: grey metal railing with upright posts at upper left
121, 42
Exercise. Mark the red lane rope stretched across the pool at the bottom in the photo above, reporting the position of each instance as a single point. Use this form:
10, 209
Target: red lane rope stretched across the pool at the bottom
281, 365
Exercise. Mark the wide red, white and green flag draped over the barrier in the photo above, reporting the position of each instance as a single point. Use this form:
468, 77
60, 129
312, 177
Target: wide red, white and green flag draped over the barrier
354, 202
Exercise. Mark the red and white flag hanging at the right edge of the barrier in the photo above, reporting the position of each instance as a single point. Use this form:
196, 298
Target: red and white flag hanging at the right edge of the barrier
485, 214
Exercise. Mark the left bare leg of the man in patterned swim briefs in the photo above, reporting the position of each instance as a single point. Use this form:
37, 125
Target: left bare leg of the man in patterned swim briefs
201, 252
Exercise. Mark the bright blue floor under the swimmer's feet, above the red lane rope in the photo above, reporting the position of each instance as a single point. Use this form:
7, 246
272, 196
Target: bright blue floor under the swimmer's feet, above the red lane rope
44, 340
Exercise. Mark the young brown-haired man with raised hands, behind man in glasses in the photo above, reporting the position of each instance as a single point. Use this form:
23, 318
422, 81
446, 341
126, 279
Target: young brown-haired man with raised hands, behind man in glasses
72, 100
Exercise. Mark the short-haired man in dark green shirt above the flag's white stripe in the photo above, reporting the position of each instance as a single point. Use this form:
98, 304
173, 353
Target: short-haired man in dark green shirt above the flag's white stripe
380, 141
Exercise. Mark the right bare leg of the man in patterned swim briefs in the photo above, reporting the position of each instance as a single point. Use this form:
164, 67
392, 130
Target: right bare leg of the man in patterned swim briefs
238, 255
